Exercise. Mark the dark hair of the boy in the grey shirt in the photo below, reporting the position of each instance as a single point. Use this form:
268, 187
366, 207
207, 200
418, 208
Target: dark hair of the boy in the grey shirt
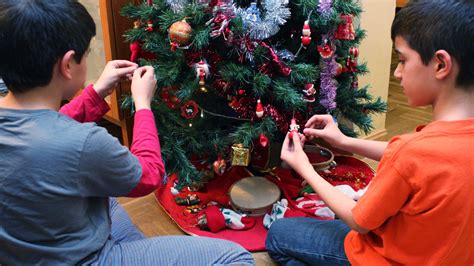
35, 34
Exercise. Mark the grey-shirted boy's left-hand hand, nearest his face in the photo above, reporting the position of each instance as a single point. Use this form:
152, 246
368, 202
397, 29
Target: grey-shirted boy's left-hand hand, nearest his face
114, 72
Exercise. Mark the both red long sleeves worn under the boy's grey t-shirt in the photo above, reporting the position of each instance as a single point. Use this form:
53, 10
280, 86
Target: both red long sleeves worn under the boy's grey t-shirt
90, 107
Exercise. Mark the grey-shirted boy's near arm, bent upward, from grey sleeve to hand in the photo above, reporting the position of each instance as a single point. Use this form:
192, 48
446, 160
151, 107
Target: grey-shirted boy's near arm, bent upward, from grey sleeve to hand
109, 169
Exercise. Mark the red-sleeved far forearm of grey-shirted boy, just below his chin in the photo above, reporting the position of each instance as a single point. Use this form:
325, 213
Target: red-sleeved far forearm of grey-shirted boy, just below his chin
87, 107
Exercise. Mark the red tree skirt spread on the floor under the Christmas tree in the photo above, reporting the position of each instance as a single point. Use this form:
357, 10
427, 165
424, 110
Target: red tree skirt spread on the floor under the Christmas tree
349, 170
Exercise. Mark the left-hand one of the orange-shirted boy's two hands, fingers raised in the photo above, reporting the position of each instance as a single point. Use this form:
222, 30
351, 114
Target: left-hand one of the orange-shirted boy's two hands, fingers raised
292, 152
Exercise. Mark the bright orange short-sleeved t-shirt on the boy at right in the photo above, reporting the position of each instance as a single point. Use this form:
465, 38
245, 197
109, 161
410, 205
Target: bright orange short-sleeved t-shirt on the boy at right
420, 205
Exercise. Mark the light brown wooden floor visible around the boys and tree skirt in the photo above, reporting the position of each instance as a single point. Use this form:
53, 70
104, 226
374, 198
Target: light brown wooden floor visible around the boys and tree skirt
401, 118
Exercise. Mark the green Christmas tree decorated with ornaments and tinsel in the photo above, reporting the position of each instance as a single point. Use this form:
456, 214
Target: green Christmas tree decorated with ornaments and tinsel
236, 74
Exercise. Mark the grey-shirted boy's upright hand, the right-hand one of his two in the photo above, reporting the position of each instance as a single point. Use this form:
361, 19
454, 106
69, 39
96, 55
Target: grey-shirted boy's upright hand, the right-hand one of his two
143, 87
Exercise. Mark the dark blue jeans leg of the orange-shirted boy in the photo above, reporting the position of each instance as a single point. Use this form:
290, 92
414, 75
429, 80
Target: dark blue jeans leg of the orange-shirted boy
307, 241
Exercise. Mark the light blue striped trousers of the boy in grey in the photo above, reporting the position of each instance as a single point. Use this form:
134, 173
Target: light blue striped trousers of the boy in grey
128, 246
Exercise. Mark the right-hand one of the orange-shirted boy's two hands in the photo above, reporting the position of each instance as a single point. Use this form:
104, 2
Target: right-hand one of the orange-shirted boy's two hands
323, 126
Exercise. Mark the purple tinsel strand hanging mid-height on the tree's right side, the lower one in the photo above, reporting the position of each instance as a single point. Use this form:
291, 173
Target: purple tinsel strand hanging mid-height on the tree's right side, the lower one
328, 84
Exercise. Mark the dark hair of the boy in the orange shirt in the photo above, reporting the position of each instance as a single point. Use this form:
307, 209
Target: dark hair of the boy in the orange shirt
432, 25
